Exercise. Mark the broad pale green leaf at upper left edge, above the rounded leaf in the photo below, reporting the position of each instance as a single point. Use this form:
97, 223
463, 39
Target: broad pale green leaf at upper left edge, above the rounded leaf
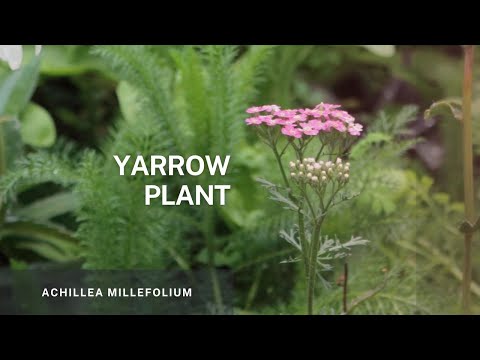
17, 88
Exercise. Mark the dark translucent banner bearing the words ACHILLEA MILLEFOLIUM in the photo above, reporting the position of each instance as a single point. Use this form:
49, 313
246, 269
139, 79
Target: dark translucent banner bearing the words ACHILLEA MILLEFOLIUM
113, 292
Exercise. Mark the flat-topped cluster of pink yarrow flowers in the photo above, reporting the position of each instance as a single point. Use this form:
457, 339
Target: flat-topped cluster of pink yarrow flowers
305, 122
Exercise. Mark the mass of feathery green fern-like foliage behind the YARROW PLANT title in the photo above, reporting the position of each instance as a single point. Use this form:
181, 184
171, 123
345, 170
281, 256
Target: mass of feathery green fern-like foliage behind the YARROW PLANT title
193, 107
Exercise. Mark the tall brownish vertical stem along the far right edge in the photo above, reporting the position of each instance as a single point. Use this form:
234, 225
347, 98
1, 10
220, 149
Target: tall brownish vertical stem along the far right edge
468, 174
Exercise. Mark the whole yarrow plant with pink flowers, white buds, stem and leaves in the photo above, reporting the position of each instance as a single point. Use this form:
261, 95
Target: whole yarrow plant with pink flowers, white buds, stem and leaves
315, 180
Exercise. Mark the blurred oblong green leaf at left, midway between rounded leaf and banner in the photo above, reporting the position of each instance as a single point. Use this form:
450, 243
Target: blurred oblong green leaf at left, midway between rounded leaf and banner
49, 207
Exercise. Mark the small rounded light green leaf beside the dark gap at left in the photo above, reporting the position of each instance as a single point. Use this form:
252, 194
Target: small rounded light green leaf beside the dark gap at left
37, 126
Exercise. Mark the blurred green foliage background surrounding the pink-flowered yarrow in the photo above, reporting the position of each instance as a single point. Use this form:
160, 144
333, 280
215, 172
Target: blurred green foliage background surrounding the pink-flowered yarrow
65, 114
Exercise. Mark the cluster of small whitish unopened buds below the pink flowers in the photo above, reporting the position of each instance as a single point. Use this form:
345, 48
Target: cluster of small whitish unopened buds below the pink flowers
319, 172
